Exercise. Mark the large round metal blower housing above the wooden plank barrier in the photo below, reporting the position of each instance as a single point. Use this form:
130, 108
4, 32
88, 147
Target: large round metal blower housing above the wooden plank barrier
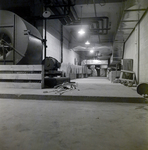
20, 42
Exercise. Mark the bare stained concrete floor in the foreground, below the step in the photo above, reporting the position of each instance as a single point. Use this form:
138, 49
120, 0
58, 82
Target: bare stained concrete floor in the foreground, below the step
72, 125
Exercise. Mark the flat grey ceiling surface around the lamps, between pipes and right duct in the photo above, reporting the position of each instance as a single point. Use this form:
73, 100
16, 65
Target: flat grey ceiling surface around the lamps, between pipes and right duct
101, 41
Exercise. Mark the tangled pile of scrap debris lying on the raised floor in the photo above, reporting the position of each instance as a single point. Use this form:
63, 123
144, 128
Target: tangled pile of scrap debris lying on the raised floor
64, 87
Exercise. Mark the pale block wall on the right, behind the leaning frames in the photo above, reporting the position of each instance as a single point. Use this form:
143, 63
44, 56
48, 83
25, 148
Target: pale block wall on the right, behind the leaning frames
136, 48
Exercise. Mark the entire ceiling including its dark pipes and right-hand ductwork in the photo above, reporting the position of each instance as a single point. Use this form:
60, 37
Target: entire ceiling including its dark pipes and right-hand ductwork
107, 23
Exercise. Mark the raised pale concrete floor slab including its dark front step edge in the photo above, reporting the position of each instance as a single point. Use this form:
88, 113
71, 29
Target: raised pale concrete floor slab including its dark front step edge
92, 88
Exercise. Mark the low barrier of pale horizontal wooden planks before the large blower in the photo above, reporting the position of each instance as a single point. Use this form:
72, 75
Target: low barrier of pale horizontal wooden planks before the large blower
22, 76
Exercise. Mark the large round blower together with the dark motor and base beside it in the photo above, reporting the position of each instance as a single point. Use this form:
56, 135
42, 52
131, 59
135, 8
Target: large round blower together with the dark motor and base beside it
21, 44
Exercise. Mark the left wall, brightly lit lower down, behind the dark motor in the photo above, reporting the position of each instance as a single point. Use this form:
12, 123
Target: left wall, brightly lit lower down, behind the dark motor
54, 43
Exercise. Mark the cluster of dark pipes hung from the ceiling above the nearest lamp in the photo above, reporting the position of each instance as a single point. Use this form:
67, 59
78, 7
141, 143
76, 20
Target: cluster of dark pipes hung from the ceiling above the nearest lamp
68, 16
